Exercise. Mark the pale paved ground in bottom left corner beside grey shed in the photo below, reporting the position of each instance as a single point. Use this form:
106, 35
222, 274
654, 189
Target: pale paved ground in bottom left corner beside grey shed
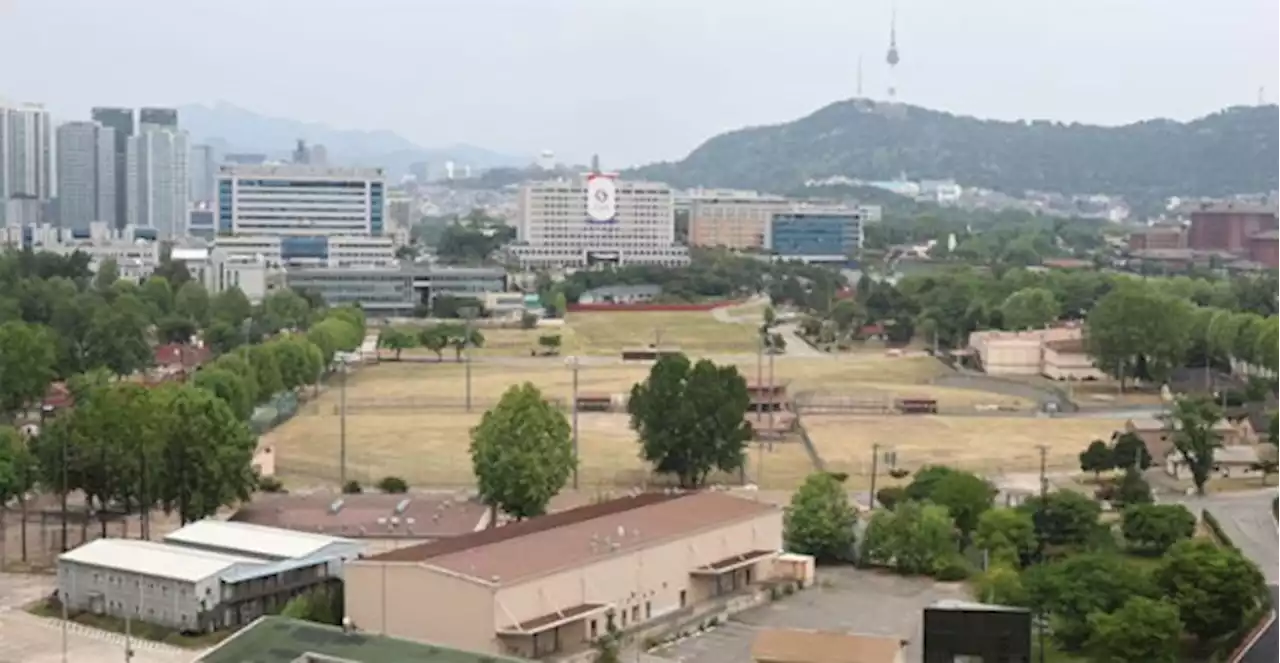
29, 639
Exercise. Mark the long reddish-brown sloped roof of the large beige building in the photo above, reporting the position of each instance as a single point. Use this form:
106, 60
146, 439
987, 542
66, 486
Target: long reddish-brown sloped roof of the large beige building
559, 541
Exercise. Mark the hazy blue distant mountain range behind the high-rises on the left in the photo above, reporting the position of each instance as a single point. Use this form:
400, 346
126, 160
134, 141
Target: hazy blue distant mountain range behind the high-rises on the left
235, 130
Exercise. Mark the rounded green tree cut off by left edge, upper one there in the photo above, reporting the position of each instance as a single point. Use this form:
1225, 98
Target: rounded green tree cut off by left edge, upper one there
28, 363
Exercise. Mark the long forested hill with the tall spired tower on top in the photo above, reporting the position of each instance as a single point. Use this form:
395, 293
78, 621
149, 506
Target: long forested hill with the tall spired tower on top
1233, 152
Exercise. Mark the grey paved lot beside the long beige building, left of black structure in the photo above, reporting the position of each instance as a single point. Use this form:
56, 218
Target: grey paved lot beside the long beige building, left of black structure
844, 600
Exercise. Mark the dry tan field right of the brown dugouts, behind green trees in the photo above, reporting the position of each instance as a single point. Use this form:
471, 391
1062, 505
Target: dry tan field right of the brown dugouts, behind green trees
976, 443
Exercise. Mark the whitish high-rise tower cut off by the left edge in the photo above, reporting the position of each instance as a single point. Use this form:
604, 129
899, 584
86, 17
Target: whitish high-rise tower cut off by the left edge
28, 158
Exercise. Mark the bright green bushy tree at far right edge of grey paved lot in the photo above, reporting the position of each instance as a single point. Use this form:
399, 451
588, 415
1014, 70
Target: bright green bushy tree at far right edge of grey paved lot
915, 539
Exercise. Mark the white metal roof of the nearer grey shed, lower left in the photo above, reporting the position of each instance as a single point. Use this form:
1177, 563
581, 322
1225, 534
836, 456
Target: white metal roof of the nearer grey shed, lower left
152, 559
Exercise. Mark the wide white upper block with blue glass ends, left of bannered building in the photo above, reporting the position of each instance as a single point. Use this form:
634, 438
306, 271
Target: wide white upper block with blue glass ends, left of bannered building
294, 200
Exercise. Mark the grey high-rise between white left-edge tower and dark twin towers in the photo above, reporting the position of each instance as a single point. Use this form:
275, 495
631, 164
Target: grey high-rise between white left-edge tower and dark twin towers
86, 175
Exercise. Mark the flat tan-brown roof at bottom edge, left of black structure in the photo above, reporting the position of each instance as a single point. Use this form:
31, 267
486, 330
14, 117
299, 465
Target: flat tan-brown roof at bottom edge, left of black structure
790, 646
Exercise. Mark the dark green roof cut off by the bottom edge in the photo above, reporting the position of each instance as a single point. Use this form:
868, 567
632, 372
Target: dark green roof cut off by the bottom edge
285, 641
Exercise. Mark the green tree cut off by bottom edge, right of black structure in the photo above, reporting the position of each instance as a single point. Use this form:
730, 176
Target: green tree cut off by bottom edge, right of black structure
1141, 632
